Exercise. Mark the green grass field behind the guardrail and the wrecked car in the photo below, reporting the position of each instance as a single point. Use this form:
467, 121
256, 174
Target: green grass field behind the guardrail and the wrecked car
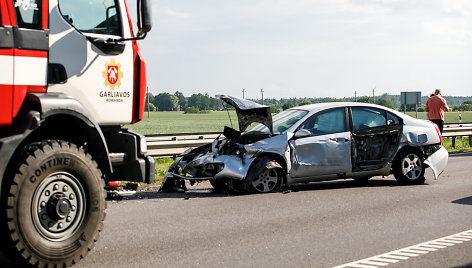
178, 122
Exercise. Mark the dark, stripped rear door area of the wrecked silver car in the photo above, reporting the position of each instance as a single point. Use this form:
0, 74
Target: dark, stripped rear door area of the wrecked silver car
376, 135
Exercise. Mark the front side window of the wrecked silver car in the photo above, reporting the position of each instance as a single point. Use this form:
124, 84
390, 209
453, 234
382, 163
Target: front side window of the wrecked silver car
332, 121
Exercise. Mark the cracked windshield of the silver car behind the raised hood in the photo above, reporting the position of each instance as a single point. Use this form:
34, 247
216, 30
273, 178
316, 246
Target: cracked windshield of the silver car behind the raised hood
281, 122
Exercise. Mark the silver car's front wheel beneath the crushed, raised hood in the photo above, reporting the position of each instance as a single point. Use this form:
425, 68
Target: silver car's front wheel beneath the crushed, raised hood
264, 176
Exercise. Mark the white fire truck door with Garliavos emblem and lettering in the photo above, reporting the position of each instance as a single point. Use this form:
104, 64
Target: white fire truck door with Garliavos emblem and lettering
98, 67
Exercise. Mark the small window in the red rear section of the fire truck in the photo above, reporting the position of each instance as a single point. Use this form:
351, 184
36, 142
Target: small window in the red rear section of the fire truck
28, 14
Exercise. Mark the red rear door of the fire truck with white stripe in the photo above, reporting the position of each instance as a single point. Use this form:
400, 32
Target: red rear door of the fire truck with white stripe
23, 54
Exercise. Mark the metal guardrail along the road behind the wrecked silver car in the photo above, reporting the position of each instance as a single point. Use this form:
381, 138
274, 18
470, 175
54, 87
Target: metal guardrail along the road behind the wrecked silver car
171, 145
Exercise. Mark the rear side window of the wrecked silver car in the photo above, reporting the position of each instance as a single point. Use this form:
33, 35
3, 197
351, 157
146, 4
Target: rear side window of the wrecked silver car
366, 117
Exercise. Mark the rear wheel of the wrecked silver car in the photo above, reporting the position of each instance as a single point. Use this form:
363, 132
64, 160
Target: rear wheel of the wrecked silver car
408, 168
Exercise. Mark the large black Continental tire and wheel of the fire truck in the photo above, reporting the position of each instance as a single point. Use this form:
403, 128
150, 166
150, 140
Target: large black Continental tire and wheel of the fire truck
55, 205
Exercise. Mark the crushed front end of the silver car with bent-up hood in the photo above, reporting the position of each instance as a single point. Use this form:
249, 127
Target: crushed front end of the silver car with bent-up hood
229, 157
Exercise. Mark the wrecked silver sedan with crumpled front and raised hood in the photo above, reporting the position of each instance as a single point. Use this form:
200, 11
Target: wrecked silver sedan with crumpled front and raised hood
317, 142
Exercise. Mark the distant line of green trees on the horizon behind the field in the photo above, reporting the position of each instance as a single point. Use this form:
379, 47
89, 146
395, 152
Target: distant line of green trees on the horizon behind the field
203, 102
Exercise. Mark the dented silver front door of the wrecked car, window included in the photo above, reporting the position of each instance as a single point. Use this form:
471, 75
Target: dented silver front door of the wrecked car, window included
327, 150
